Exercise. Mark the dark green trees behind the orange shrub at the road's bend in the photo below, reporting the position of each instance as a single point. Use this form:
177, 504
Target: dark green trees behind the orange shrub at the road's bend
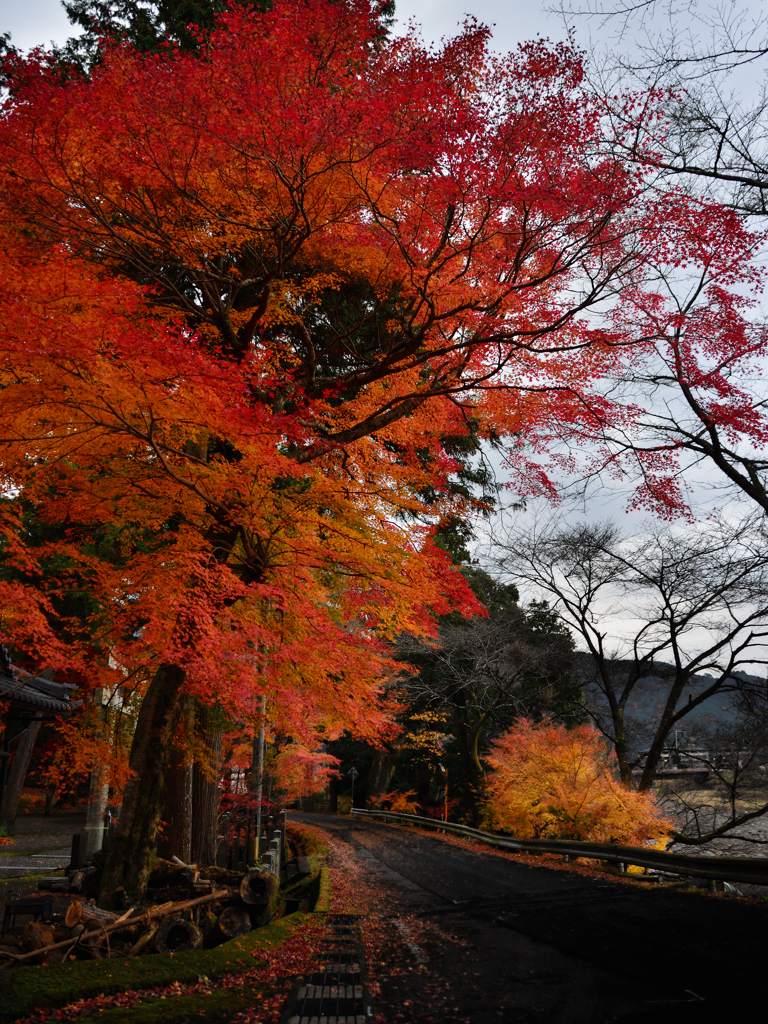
484, 675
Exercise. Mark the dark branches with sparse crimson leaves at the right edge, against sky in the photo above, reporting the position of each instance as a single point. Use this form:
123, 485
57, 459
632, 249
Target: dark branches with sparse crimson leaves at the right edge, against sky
695, 412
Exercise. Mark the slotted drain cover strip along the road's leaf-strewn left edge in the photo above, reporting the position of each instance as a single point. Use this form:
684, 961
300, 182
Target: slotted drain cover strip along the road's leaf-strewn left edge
336, 993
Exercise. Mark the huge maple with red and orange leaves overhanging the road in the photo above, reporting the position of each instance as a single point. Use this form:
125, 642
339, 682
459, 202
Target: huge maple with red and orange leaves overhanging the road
246, 294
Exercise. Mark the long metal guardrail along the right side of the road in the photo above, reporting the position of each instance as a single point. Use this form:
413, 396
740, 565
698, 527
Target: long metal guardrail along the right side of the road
751, 871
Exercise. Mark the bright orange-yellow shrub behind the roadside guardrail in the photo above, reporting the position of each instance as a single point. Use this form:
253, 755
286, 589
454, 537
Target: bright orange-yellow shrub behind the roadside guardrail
553, 783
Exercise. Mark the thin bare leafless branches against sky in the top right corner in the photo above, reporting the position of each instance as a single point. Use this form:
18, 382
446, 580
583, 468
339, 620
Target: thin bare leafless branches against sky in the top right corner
696, 53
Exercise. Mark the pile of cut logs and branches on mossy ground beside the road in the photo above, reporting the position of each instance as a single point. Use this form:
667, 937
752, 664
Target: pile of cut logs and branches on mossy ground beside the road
219, 909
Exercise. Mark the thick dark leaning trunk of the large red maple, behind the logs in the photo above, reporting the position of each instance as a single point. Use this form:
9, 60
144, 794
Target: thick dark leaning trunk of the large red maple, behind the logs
131, 857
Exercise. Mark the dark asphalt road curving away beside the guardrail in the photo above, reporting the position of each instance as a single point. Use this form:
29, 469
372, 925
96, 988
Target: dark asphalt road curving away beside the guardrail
517, 944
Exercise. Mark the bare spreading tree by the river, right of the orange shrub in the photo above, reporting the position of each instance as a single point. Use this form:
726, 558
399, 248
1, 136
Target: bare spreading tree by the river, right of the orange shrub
679, 612
